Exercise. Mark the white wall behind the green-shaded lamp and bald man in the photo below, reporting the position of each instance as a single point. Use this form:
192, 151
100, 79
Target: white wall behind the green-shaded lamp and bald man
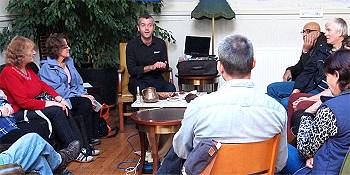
272, 25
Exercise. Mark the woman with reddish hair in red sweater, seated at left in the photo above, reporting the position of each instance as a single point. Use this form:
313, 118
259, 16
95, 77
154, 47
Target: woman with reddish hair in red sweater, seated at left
21, 86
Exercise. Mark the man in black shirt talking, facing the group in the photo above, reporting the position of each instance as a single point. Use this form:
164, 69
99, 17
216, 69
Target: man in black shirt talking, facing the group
146, 58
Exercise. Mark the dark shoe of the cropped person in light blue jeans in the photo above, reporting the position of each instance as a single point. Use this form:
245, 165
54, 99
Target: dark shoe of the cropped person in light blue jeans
69, 154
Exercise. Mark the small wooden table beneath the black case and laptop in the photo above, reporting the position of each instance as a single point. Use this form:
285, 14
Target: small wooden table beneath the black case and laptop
198, 81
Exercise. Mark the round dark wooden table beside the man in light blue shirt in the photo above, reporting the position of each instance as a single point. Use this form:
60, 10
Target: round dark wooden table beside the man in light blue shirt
156, 122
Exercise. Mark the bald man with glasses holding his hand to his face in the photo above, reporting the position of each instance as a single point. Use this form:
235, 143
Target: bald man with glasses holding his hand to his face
315, 47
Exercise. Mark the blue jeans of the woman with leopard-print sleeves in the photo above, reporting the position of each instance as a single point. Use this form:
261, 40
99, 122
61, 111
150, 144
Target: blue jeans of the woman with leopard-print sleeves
294, 162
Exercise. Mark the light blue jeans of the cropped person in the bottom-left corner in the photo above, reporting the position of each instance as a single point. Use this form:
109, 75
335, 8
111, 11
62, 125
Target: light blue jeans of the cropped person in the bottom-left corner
33, 153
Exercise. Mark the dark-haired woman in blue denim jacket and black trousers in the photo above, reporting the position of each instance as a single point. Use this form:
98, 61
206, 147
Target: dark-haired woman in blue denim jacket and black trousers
59, 72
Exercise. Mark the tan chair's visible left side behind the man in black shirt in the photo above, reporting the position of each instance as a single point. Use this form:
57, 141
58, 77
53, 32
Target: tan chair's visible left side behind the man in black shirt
122, 65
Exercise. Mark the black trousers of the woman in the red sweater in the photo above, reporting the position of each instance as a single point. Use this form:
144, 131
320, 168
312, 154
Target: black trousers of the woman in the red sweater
60, 124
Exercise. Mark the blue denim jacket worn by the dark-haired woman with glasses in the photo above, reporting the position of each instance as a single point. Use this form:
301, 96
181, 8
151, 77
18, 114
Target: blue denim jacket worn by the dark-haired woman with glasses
52, 74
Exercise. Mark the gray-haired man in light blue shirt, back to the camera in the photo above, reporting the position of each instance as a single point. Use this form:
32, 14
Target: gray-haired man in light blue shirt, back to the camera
236, 113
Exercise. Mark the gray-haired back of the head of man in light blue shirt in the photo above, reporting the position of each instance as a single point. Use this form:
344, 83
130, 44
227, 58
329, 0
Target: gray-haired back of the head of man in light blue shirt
236, 55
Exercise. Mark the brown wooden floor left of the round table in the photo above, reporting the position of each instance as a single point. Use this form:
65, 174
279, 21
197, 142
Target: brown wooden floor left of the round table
114, 151
